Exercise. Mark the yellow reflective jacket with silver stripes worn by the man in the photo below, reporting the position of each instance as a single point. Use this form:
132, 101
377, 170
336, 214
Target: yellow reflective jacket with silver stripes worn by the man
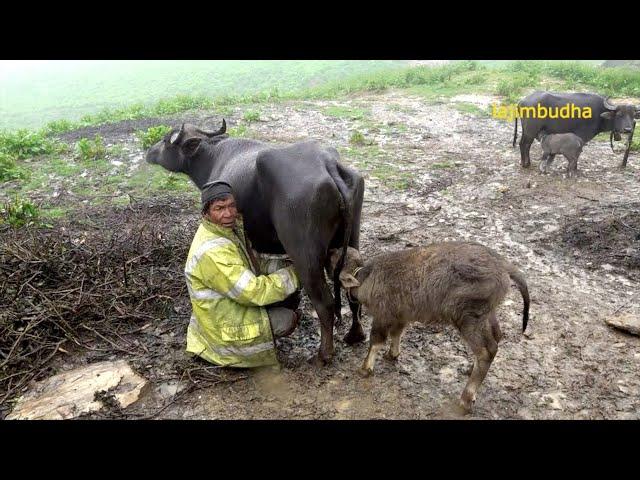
229, 325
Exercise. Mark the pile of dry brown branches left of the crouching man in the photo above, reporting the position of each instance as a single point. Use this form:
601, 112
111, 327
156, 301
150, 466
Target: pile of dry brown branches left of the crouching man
88, 283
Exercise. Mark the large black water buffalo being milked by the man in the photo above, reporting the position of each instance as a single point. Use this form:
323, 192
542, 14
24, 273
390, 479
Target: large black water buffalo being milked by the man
295, 199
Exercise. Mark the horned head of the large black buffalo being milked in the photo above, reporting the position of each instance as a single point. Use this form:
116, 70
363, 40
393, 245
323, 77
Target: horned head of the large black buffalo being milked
180, 144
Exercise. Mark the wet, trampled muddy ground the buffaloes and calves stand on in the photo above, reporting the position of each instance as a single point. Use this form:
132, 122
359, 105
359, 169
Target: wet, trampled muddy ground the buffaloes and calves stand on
576, 240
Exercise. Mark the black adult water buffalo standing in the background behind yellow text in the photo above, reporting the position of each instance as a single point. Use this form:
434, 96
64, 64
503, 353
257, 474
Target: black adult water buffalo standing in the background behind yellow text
603, 117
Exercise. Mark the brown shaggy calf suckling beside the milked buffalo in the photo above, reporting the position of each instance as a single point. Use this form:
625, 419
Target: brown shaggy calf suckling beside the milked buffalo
457, 283
